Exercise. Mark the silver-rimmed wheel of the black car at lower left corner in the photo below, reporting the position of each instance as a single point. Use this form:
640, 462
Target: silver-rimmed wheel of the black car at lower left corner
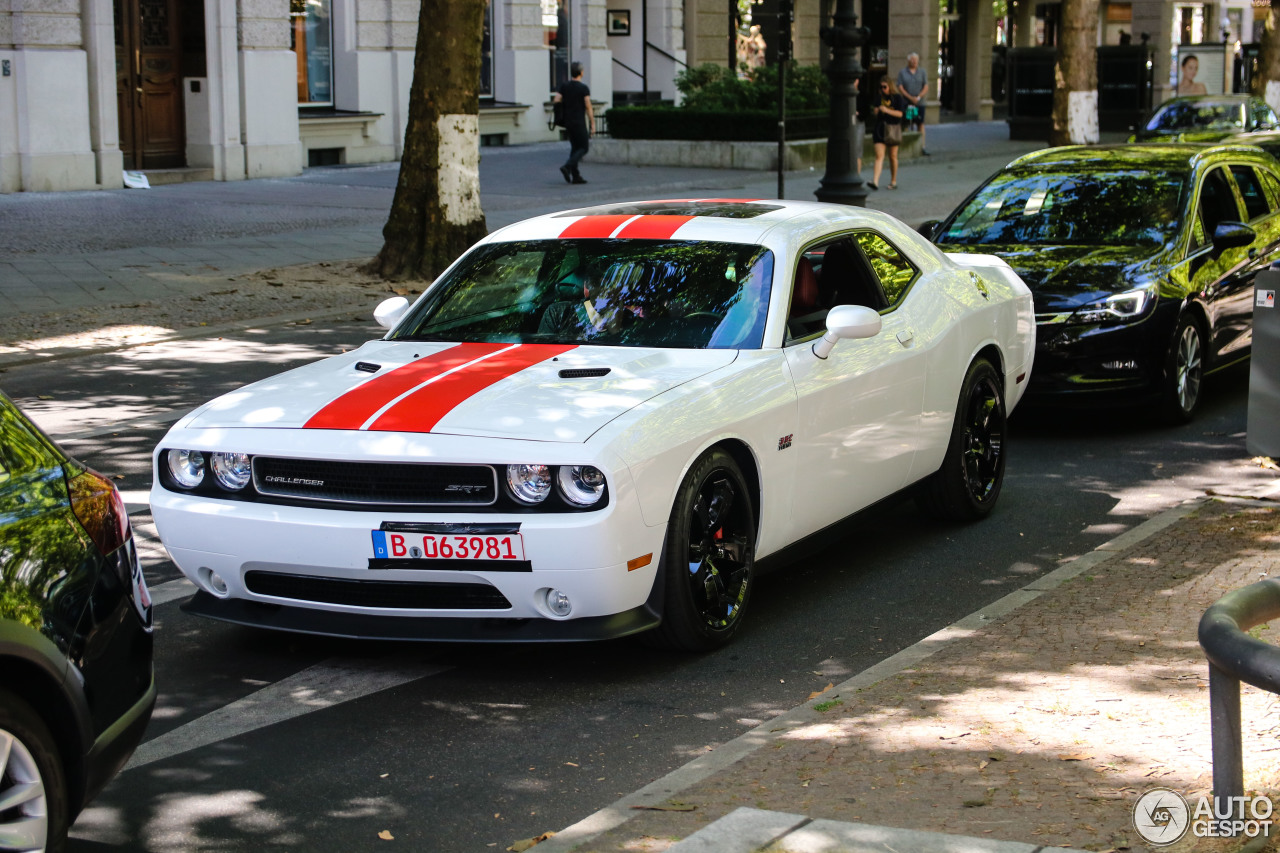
34, 809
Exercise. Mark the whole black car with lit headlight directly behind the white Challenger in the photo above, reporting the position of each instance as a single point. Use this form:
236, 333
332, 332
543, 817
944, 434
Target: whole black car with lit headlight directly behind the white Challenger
1141, 262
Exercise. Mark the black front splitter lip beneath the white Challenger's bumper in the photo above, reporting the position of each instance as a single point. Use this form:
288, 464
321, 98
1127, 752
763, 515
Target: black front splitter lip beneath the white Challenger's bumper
431, 630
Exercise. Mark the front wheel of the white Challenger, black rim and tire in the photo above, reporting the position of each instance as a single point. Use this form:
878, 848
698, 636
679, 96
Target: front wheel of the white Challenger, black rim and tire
710, 559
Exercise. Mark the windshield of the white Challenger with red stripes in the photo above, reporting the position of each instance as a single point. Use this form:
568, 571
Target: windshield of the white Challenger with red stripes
620, 293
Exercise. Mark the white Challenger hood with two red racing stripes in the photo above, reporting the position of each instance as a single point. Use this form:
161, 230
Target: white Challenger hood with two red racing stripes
538, 393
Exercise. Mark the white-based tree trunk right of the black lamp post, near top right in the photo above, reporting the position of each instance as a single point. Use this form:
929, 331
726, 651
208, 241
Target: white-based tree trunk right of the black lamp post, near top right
1076, 92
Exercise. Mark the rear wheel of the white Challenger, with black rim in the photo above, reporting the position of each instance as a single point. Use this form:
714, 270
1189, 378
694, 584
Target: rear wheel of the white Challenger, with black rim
968, 485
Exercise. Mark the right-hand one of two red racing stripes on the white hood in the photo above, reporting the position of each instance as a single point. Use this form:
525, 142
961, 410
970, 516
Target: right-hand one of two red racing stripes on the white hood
422, 410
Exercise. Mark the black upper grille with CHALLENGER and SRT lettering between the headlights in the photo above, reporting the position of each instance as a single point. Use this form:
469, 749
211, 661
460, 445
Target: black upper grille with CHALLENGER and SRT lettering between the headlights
385, 483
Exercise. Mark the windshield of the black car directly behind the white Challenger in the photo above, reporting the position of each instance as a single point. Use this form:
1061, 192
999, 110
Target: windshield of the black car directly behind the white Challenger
1114, 208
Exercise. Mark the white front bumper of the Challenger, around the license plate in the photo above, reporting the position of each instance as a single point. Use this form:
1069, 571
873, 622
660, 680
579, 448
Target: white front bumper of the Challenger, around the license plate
314, 571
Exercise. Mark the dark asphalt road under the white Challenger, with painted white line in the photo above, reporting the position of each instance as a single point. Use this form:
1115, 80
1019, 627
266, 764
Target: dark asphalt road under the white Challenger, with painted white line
321, 745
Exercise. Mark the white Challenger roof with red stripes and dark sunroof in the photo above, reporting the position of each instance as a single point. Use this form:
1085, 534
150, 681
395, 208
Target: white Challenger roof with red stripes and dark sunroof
740, 221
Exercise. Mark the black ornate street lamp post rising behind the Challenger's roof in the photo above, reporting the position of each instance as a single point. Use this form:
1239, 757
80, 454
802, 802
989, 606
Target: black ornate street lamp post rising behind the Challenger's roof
843, 184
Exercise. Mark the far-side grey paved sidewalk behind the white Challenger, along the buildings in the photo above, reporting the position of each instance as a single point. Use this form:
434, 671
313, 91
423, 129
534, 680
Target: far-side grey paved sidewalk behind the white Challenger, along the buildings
167, 261
